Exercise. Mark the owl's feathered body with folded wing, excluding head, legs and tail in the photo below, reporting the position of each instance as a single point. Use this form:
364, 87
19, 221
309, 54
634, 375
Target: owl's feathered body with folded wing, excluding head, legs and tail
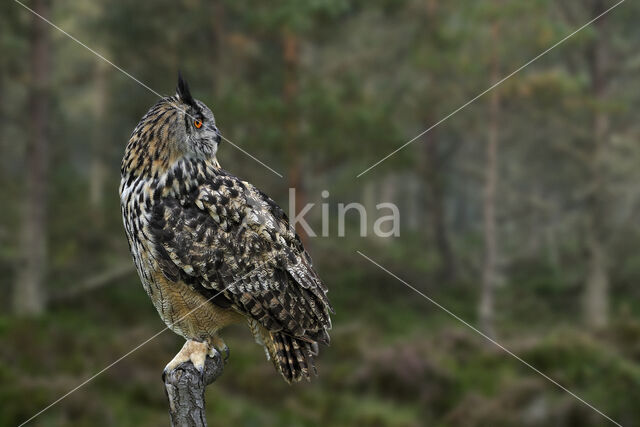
201, 232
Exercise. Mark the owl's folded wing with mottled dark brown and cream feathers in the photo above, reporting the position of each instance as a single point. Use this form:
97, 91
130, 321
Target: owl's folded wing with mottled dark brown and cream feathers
226, 237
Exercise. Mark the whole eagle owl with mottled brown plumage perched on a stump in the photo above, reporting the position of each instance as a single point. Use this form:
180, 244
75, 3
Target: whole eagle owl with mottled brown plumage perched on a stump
211, 249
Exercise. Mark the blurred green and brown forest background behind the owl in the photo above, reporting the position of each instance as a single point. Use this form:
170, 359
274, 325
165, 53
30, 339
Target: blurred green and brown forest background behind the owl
519, 213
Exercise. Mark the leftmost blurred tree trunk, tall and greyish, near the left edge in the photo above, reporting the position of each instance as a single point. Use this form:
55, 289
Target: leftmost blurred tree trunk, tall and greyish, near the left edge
28, 293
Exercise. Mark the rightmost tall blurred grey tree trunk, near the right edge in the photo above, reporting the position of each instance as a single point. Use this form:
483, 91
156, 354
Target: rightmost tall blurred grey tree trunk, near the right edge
596, 297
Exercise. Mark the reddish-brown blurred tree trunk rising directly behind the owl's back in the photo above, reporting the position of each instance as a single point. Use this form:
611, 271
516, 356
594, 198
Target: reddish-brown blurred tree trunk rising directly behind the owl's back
290, 92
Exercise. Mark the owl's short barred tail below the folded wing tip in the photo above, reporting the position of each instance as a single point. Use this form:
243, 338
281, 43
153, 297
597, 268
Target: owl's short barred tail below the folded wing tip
293, 357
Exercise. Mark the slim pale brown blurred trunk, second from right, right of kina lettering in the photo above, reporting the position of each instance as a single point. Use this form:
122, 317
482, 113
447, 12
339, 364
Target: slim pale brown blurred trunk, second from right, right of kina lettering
489, 275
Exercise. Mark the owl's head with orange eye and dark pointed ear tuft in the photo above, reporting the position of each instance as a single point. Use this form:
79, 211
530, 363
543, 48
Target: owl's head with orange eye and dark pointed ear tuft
176, 127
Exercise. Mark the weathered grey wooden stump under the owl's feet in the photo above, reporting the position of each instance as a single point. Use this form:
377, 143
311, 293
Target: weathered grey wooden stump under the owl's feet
184, 387
